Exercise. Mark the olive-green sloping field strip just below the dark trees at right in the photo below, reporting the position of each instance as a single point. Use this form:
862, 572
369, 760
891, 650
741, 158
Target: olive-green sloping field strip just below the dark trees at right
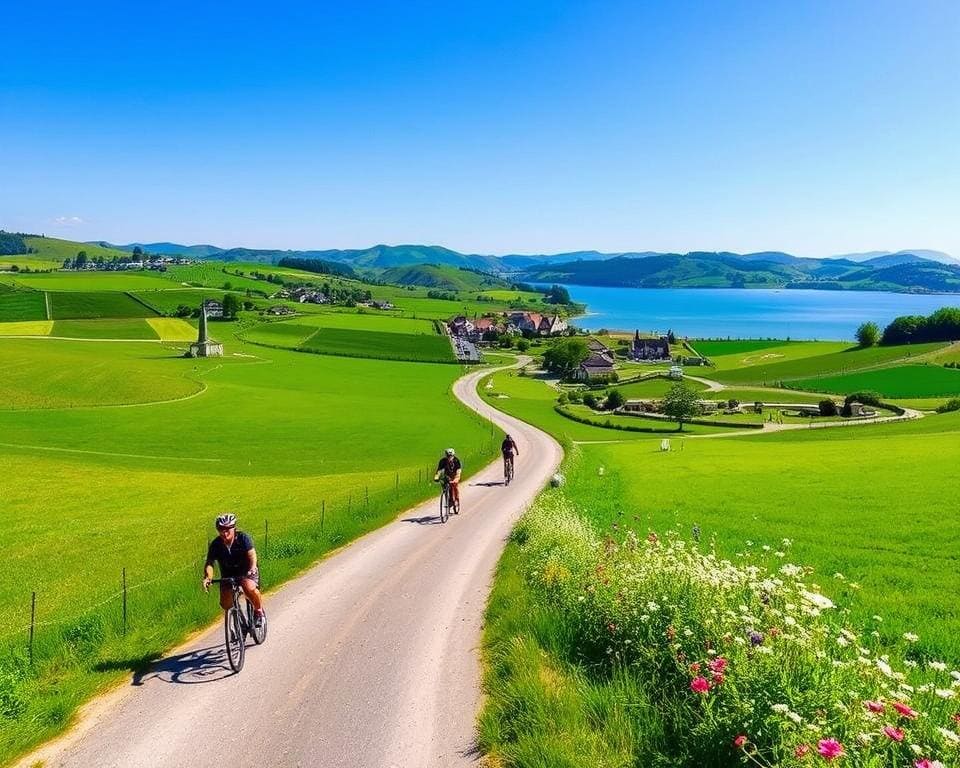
852, 359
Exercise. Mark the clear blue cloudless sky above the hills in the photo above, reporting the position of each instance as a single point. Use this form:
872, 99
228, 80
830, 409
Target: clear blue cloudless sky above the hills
813, 127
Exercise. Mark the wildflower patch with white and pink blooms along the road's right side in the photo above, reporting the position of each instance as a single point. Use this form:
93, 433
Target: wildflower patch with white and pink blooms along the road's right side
704, 661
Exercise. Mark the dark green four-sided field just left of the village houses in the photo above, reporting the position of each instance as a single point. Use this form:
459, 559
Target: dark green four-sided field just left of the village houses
385, 346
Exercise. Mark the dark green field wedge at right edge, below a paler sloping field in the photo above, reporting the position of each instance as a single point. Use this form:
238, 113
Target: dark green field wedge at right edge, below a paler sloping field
911, 381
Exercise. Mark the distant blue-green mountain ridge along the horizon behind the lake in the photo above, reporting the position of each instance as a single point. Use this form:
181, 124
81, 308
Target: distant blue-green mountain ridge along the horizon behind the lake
916, 270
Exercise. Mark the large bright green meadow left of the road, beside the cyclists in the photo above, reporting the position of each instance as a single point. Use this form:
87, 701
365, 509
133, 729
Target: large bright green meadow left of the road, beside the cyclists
274, 436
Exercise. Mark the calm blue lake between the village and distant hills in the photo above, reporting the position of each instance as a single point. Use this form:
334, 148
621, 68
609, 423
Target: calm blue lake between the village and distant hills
721, 312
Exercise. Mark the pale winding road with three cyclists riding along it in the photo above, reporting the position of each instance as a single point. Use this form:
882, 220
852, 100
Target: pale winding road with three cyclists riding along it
372, 659
